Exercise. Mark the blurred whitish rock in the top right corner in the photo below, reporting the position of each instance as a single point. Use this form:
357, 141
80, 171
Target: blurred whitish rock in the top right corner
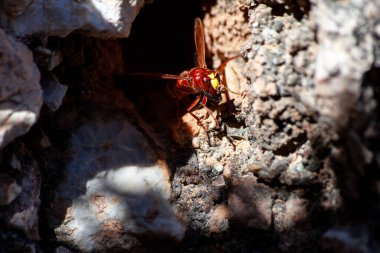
345, 54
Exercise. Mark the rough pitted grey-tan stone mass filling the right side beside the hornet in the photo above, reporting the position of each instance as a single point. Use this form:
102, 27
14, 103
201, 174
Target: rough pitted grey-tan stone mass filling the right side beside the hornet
281, 133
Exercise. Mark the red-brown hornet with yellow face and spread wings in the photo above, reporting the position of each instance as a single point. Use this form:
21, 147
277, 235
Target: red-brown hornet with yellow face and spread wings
204, 82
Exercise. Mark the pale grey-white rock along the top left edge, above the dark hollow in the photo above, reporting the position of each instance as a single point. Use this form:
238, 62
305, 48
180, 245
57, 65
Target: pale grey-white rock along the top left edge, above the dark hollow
102, 19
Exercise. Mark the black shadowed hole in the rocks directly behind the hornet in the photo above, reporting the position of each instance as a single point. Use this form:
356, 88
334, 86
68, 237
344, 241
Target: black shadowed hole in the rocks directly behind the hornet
161, 40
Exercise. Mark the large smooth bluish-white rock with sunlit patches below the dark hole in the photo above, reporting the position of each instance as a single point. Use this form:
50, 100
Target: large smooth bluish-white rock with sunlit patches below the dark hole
114, 191
